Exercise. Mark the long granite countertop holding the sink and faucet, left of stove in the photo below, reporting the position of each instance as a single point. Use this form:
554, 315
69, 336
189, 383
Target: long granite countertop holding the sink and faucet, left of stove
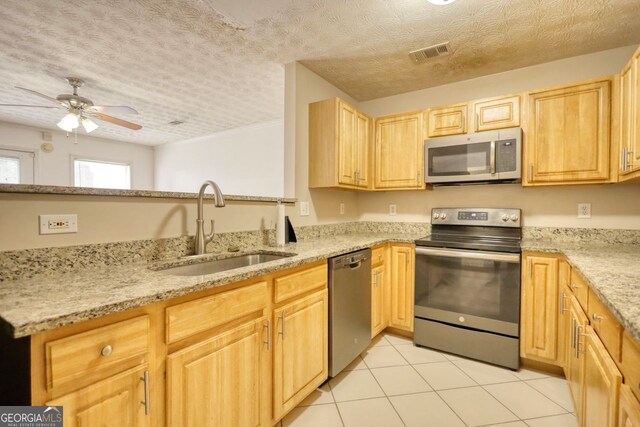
42, 303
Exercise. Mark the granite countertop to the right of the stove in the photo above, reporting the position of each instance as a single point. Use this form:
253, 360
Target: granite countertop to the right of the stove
612, 271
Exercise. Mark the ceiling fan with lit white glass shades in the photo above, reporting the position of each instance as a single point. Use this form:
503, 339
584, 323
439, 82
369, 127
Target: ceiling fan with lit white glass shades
81, 109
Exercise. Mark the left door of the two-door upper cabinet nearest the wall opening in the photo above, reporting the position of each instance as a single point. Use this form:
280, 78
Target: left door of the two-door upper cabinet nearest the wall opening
347, 144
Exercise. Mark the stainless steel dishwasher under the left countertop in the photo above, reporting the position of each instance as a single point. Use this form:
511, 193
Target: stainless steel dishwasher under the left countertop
349, 308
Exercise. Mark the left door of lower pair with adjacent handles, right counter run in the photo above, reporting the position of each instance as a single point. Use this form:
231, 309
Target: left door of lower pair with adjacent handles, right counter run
575, 358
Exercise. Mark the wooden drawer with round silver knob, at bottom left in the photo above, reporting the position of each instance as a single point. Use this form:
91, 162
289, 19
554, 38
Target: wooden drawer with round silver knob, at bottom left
97, 352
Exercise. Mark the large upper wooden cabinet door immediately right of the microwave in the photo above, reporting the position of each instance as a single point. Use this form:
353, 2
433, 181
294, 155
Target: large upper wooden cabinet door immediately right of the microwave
568, 134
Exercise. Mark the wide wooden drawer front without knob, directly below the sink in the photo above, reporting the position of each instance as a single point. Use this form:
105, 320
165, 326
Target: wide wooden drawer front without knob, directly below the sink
192, 317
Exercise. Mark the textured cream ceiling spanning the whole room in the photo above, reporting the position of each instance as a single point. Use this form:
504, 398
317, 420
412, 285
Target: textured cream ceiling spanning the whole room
185, 60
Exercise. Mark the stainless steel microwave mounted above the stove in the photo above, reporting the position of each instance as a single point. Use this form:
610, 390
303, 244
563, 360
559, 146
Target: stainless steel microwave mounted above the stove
493, 156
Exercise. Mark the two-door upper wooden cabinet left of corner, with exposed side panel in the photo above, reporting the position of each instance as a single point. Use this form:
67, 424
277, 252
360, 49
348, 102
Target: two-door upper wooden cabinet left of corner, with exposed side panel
339, 145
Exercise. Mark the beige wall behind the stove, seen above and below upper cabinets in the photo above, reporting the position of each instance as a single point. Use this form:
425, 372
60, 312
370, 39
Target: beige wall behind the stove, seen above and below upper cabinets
613, 206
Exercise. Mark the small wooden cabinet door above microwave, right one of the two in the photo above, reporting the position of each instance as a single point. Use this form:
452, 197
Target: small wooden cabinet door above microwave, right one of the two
497, 113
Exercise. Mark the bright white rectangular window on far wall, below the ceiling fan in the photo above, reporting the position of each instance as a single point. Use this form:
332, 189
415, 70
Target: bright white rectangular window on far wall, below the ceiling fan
101, 174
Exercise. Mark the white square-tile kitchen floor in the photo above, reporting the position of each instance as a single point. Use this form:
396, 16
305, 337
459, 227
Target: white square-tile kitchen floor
394, 383
